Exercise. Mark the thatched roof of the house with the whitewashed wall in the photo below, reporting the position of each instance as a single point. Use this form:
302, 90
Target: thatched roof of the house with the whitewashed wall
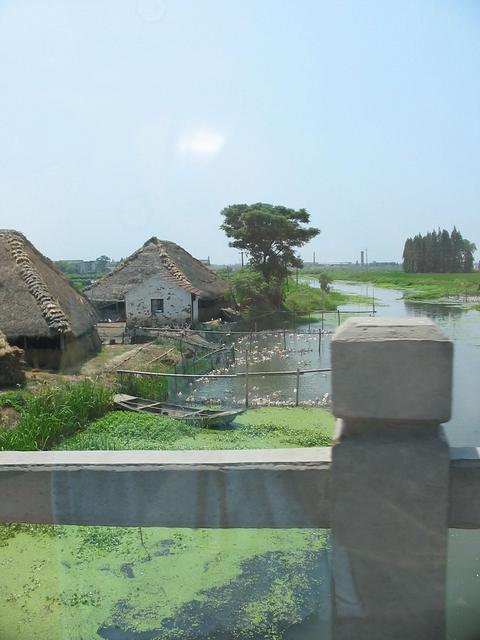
158, 257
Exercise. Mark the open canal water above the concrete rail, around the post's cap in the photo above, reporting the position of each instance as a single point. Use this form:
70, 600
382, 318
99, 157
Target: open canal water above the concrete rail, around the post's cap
266, 352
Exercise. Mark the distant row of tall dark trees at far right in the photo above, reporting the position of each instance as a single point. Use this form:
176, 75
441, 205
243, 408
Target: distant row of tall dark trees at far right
438, 252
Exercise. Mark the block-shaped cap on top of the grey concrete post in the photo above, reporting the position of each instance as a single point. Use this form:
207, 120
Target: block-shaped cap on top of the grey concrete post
391, 369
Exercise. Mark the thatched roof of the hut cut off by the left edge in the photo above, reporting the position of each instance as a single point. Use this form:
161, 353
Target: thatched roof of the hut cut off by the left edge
36, 299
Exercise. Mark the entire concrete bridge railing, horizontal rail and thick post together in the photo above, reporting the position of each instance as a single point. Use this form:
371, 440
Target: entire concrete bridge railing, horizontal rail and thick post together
388, 489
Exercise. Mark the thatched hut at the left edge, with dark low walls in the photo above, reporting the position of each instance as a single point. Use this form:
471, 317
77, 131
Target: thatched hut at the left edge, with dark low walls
40, 310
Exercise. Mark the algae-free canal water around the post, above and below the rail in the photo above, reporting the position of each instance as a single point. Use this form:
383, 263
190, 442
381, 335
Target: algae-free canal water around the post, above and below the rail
267, 353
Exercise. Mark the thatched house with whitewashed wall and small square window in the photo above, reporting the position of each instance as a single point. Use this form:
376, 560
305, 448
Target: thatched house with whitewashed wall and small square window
159, 284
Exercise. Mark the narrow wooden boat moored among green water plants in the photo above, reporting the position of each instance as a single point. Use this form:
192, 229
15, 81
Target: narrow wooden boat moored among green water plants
198, 415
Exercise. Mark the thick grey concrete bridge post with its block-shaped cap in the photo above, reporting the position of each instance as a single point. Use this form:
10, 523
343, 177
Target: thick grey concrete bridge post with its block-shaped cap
391, 389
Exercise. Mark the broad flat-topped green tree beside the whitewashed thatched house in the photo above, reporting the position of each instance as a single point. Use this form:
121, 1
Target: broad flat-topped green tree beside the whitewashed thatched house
270, 236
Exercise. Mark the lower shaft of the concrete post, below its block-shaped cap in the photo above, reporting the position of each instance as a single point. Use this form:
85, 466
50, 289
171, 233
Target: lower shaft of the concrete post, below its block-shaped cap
389, 501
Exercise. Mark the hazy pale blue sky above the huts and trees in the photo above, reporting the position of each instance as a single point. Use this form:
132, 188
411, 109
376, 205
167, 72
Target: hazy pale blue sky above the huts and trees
124, 119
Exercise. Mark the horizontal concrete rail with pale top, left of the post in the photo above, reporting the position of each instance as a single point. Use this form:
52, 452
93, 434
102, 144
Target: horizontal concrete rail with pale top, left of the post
221, 489
